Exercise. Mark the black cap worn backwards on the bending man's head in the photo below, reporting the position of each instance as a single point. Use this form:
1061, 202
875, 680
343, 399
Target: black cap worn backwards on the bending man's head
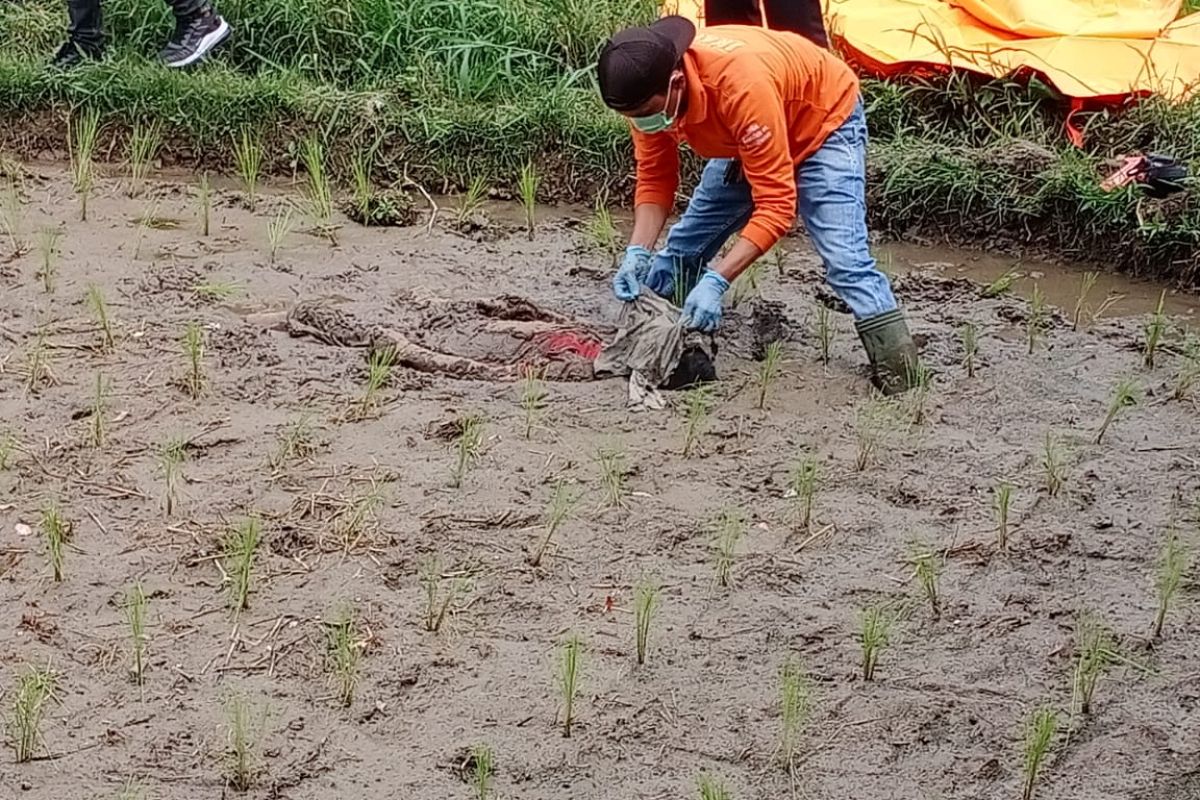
637, 64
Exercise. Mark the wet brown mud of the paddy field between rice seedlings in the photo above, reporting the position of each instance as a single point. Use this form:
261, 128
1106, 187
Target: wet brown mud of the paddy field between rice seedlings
943, 719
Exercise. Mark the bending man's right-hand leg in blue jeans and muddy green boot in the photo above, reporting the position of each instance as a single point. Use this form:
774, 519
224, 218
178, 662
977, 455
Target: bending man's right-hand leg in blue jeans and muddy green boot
832, 185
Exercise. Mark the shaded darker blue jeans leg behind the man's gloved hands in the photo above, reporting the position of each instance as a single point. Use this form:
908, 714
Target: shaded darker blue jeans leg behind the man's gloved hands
715, 214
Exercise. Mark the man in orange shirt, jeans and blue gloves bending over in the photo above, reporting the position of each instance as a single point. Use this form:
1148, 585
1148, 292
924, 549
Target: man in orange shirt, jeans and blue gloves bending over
782, 123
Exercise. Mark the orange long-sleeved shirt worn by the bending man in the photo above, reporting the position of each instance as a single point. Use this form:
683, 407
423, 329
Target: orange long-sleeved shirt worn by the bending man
767, 98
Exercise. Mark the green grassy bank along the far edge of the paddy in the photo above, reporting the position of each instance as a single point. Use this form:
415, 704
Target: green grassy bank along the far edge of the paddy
463, 88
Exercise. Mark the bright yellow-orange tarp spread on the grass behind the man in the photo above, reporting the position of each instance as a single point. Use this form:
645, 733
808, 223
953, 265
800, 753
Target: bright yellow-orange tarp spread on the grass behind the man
1087, 49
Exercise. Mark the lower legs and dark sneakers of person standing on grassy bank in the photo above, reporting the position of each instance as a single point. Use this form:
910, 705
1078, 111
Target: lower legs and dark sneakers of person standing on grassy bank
199, 31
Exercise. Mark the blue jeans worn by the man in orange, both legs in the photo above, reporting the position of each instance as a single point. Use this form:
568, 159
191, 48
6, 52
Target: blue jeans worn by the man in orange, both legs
832, 187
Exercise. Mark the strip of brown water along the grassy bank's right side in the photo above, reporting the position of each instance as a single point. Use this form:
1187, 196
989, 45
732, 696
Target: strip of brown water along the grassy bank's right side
1059, 282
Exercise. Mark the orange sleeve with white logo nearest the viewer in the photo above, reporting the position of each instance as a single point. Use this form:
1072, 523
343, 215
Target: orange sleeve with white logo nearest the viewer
754, 112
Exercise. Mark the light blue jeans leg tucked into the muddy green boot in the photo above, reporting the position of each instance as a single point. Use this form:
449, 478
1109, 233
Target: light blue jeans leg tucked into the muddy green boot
832, 187
